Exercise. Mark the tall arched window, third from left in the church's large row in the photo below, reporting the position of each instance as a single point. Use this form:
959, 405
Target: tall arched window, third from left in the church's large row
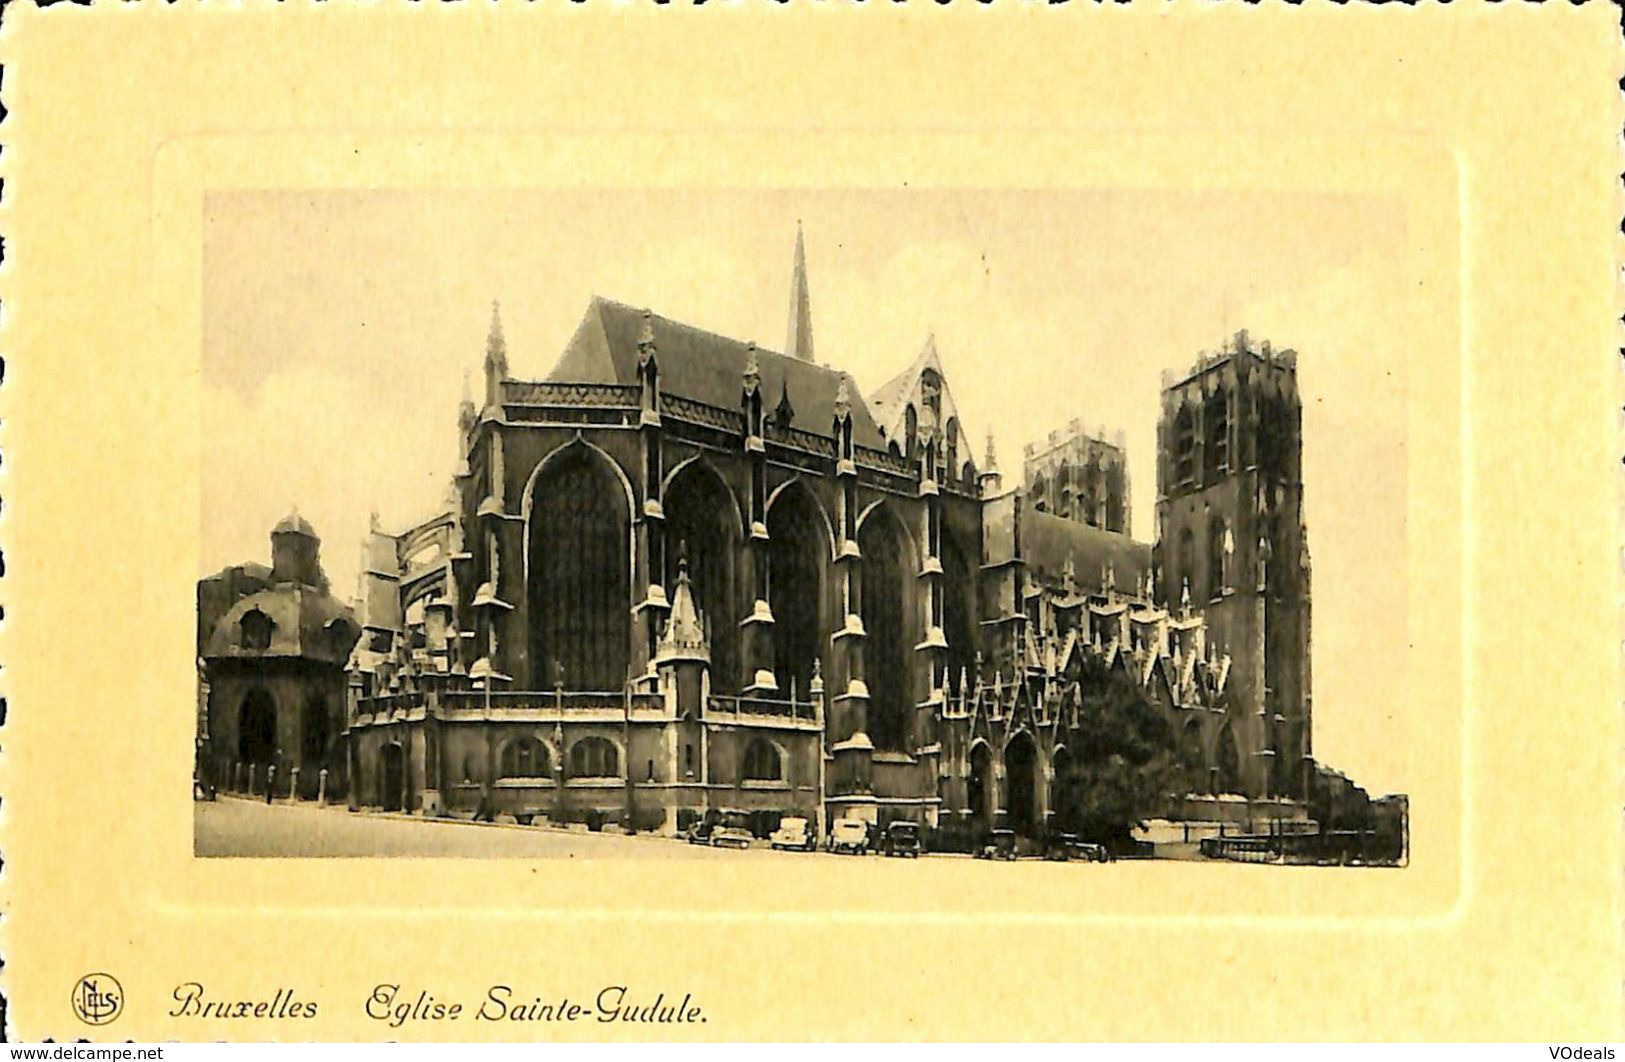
797, 550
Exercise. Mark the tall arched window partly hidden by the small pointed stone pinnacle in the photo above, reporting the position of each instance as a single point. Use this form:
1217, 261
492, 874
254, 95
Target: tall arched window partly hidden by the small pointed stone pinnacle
704, 525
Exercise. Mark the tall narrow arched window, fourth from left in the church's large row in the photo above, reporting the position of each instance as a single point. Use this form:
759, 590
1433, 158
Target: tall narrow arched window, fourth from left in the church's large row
886, 650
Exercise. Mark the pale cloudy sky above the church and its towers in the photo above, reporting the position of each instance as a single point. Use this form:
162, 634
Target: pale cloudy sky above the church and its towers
339, 329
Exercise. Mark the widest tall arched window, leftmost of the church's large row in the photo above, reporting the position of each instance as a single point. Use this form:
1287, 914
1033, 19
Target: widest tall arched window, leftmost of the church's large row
579, 576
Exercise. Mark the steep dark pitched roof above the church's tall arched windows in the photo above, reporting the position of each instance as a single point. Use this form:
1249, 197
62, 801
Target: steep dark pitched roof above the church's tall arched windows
706, 368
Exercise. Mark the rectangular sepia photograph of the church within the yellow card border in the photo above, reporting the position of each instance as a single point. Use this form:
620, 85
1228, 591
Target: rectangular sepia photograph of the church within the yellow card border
1002, 551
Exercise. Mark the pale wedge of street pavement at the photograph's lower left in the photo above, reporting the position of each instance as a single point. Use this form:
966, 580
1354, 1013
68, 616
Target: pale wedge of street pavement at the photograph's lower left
238, 827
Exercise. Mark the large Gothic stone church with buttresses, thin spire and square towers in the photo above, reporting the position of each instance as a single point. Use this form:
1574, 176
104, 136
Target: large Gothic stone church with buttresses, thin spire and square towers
685, 574
